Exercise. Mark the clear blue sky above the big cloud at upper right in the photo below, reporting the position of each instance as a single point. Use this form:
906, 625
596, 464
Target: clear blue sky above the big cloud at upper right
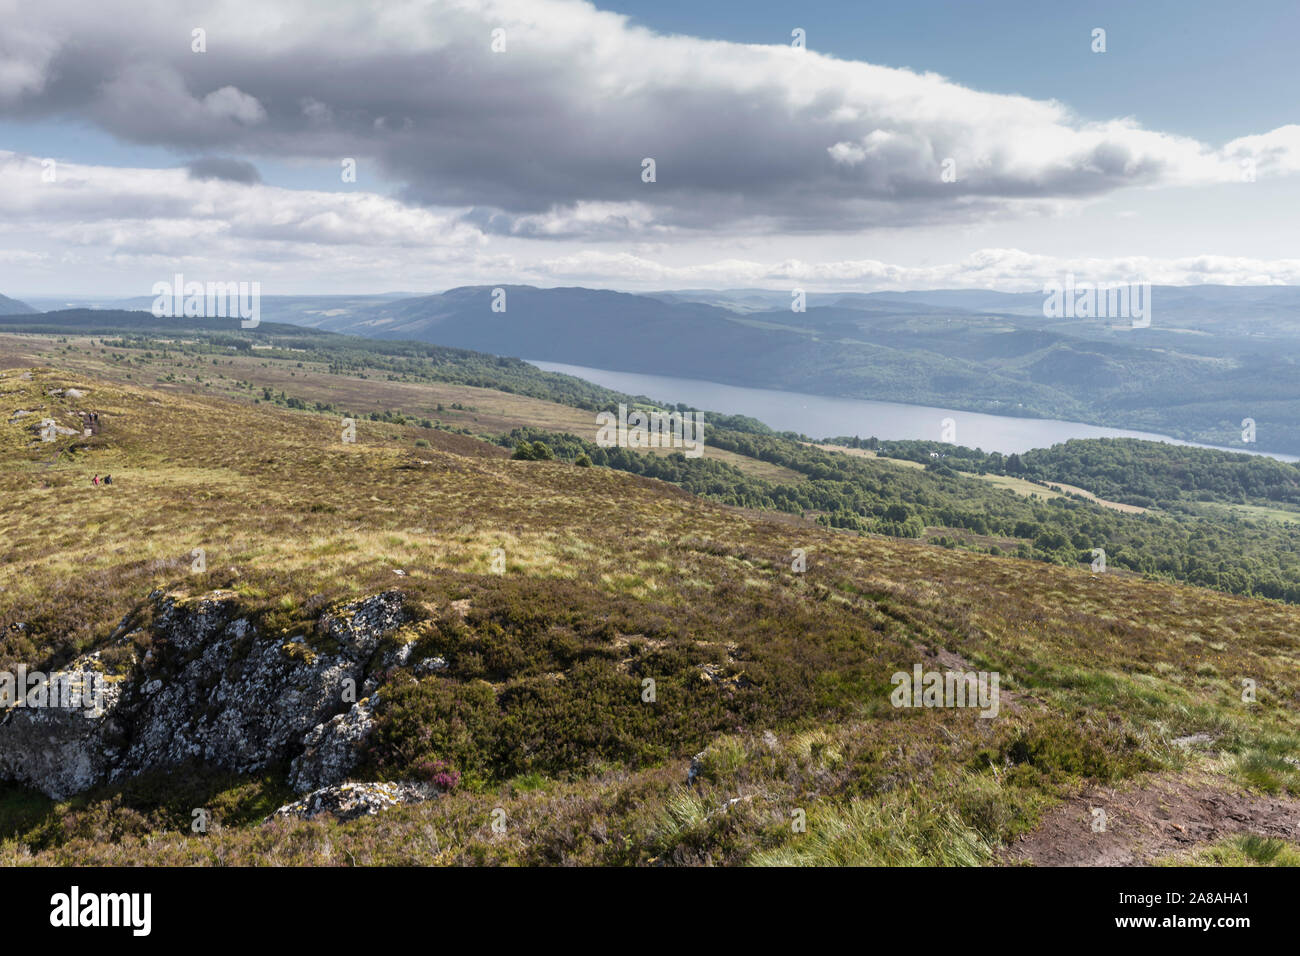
1214, 71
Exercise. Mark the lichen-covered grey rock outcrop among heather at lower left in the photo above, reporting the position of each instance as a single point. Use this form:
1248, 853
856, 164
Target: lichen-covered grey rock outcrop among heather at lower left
216, 691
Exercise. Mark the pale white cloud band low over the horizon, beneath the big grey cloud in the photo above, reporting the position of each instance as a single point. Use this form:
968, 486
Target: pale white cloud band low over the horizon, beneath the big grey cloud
153, 220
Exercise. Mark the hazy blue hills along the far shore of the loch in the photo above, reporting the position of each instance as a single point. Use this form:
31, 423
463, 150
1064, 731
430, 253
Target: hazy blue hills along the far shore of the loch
1211, 357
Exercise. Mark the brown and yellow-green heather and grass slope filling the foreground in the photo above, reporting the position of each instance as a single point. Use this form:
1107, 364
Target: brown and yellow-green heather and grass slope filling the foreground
781, 678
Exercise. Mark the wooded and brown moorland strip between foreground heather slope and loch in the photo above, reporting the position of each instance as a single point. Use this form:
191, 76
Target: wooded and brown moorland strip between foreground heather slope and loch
956, 498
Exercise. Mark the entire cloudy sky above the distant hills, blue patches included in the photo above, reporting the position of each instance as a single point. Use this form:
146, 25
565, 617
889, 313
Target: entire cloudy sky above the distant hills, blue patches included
826, 146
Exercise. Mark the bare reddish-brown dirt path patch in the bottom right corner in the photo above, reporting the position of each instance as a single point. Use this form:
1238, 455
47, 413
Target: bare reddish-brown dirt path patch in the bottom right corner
1164, 816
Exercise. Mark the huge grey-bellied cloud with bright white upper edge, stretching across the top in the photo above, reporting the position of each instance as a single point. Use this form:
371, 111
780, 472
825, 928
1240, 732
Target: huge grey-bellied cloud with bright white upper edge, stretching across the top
748, 139
